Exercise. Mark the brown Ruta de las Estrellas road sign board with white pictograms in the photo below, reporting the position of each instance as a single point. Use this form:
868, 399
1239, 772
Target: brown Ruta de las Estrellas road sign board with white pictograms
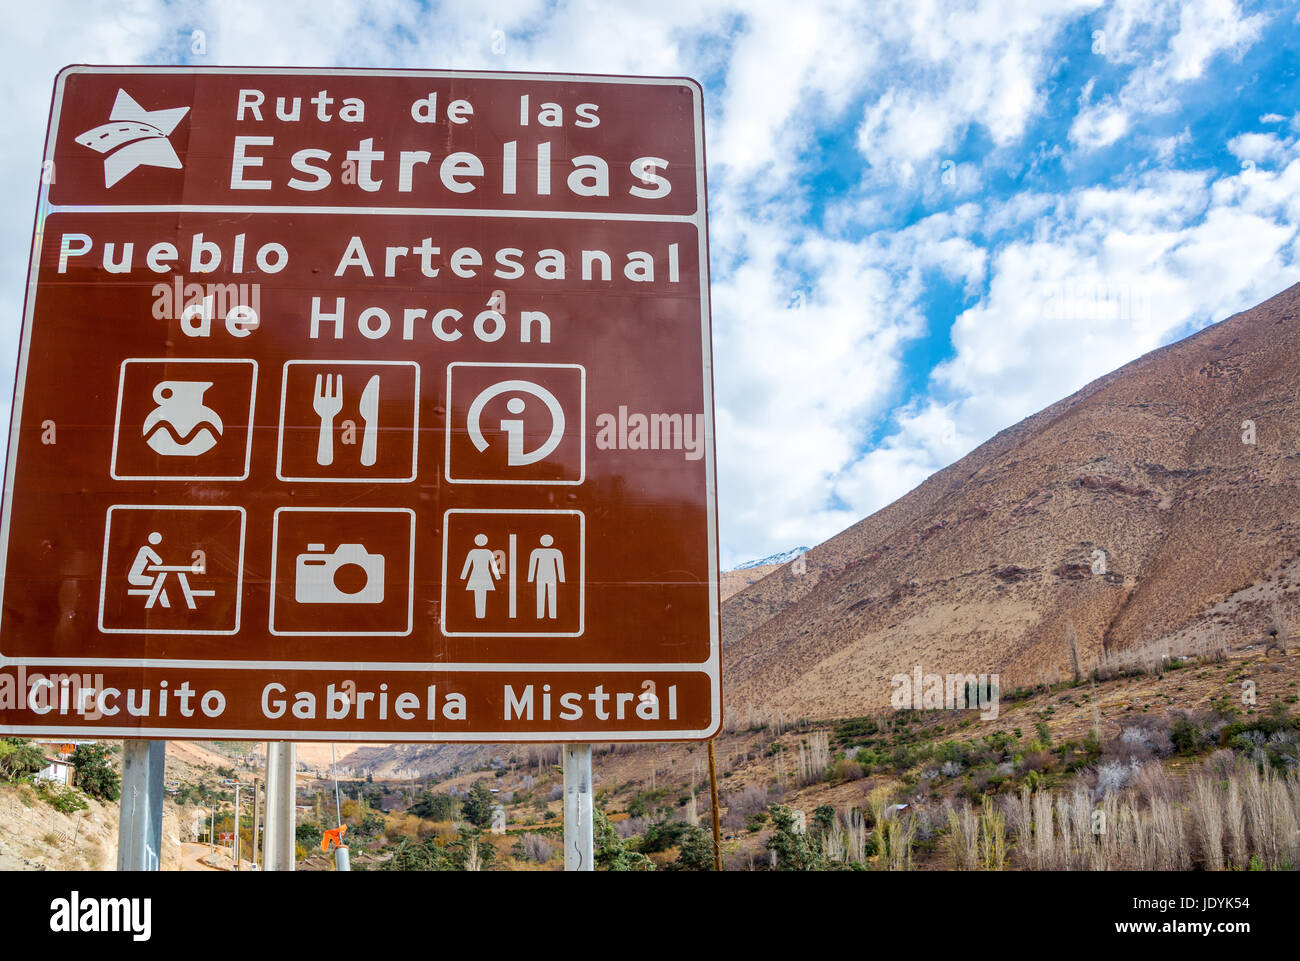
365, 405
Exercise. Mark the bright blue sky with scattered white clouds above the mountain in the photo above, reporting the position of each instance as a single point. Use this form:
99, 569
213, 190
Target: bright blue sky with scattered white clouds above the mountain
929, 220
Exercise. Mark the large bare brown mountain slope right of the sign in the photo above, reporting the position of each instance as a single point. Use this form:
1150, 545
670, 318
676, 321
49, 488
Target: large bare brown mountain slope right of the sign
1133, 509
